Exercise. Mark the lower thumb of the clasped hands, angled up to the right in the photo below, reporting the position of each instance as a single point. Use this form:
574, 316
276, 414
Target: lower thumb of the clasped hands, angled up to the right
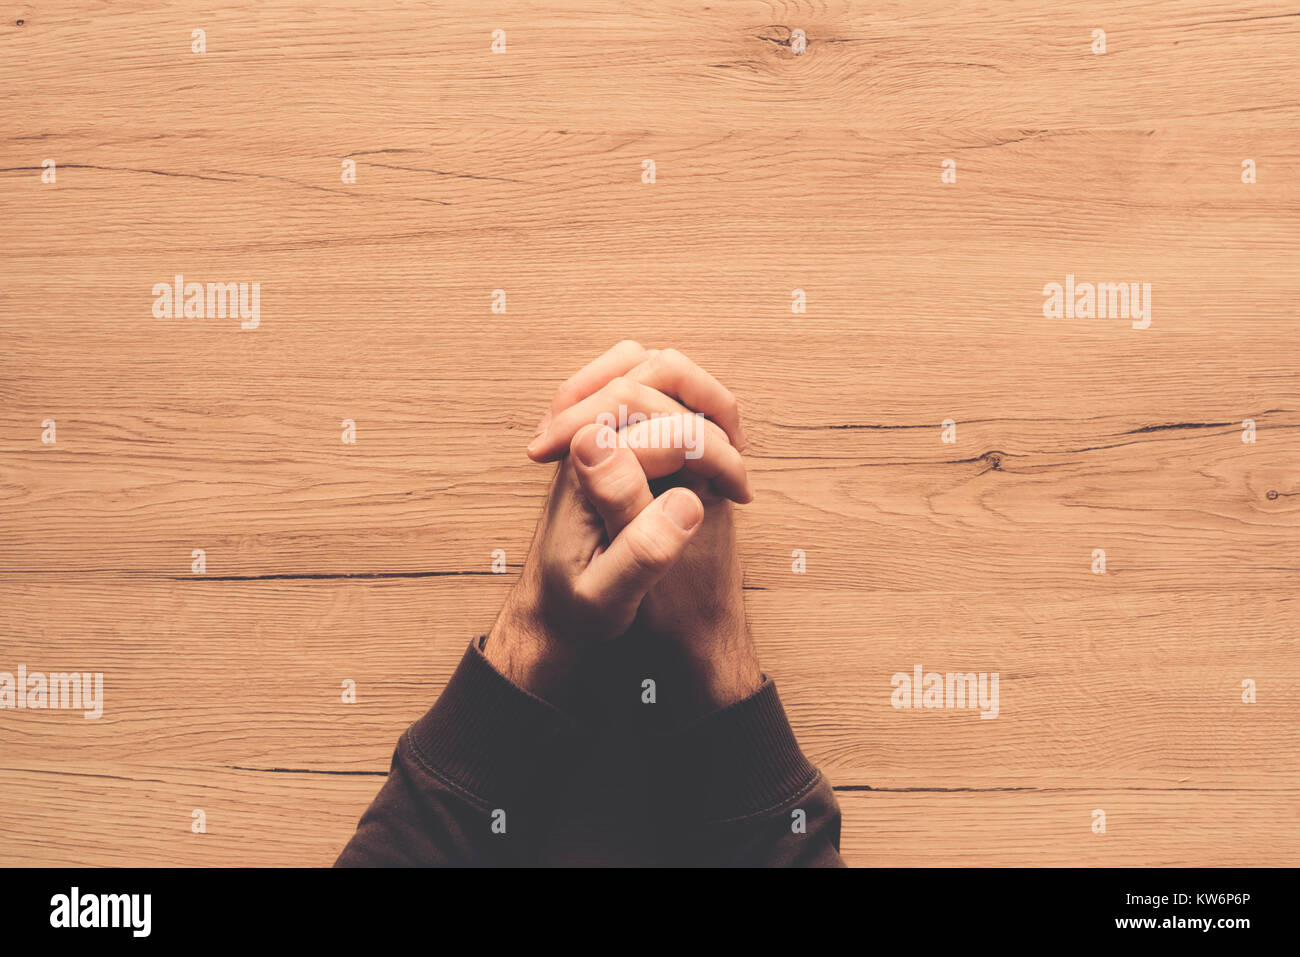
642, 555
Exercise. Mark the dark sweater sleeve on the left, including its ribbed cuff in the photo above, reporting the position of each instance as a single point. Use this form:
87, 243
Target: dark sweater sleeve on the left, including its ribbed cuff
467, 786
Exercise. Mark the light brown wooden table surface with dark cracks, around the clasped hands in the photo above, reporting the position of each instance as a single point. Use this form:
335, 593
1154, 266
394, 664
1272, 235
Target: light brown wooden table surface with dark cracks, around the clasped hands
774, 171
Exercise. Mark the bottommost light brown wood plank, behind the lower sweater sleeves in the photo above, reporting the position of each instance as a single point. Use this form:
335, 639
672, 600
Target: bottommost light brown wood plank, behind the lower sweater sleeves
103, 816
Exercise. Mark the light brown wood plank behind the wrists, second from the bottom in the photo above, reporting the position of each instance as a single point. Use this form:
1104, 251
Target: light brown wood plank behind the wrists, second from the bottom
1090, 694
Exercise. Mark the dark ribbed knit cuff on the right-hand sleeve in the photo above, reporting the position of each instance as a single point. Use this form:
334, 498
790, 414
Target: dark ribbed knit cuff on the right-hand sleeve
733, 764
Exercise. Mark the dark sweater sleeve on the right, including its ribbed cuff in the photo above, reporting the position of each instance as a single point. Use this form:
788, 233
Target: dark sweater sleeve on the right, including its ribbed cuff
735, 790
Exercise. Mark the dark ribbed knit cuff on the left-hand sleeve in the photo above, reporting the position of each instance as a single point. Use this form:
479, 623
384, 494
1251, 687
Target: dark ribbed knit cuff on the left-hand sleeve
488, 737
